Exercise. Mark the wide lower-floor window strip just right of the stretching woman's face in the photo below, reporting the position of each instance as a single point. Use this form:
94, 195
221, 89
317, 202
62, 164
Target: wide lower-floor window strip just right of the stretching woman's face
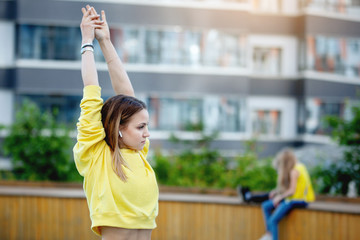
194, 114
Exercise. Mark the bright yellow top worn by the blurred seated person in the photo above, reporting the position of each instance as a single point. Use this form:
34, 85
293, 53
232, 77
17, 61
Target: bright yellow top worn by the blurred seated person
304, 190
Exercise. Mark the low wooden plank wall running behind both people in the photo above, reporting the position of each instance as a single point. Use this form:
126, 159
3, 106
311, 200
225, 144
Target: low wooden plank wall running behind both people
27, 216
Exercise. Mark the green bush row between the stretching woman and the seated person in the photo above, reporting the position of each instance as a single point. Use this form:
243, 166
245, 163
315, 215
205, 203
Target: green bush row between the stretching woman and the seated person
199, 166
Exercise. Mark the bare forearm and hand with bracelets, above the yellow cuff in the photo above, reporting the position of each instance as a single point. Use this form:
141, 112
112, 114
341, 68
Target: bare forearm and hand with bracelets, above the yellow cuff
88, 69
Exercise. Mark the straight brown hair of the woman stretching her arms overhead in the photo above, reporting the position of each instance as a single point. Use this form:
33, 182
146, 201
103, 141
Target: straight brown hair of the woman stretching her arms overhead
117, 112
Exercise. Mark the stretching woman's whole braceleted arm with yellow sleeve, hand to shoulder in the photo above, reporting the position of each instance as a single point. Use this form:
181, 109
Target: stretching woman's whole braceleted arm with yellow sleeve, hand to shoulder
89, 126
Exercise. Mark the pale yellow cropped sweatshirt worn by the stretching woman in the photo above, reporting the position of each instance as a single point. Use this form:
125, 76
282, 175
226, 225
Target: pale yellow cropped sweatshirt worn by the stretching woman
112, 202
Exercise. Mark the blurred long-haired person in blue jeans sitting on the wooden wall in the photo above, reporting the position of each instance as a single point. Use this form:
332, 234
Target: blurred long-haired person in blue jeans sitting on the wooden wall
294, 190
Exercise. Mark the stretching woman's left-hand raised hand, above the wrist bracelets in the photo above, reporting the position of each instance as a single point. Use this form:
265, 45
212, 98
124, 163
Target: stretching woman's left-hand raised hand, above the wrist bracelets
88, 24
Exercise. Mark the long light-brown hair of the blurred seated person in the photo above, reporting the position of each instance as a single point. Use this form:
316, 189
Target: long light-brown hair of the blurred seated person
284, 162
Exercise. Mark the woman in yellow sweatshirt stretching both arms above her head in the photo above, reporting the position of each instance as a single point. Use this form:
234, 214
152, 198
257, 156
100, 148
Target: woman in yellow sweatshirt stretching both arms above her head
112, 145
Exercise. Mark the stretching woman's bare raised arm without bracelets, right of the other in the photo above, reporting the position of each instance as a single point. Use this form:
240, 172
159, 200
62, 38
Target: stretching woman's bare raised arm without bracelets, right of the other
119, 78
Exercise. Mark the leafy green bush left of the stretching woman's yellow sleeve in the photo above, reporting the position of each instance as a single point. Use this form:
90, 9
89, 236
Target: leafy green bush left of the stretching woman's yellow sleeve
39, 147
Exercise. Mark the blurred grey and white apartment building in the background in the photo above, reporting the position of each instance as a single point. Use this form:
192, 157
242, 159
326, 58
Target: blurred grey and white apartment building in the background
269, 69
